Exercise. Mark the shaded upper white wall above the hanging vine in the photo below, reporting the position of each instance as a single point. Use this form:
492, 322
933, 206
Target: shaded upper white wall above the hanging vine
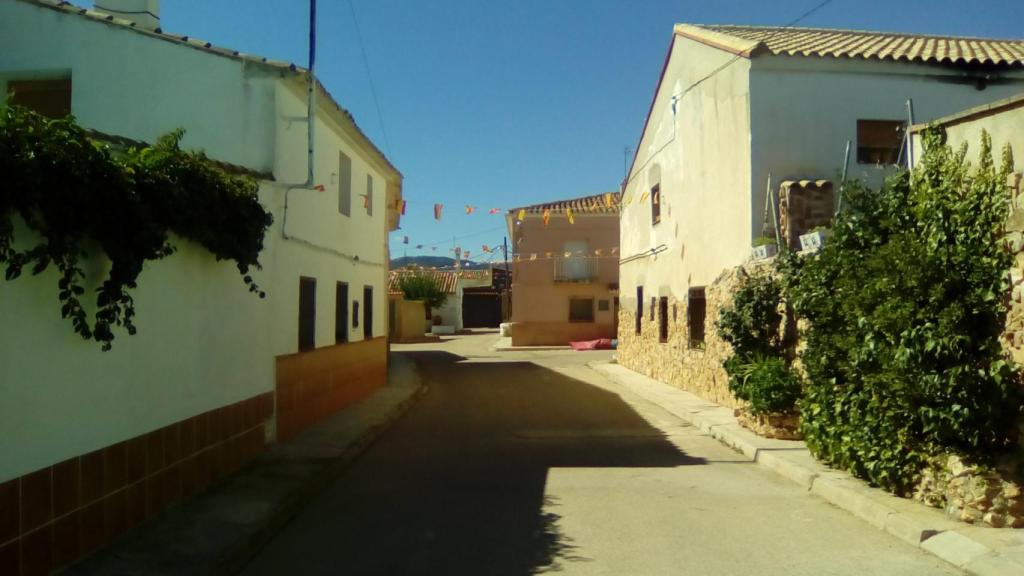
155, 87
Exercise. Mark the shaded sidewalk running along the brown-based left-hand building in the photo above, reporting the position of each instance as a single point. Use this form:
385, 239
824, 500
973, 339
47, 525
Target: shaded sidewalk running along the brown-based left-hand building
220, 531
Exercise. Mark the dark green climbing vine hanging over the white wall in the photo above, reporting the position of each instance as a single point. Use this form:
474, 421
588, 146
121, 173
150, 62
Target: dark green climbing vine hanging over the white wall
80, 197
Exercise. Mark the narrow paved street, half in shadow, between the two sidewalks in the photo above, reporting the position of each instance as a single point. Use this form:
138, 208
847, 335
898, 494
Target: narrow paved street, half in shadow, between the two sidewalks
530, 463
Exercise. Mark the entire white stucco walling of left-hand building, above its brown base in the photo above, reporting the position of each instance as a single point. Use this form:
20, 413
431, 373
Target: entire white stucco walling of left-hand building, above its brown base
204, 341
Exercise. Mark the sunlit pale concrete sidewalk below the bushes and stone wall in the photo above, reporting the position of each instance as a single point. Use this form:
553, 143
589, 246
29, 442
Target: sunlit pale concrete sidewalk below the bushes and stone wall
978, 551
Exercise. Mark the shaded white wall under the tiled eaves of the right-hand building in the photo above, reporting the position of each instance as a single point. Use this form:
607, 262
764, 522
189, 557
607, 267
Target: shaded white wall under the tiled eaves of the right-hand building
804, 110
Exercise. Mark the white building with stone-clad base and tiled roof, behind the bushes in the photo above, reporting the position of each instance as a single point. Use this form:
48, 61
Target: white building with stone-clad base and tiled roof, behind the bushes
736, 105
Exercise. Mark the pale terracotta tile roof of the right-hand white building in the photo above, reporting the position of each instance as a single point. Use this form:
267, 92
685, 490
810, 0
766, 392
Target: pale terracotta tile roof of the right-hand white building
751, 40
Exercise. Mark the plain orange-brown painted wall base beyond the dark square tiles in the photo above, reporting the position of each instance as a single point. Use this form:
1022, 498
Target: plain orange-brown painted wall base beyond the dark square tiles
315, 385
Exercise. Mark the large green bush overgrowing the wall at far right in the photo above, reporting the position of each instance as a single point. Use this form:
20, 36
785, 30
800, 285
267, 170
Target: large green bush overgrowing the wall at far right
906, 306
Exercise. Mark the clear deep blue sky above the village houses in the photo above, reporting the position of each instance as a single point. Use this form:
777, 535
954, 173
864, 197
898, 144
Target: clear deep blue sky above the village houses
501, 104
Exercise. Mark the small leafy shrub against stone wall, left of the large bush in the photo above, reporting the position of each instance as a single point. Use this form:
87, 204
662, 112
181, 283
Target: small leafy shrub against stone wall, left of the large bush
759, 369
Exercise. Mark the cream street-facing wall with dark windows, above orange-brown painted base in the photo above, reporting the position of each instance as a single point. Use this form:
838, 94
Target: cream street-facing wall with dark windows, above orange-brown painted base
323, 243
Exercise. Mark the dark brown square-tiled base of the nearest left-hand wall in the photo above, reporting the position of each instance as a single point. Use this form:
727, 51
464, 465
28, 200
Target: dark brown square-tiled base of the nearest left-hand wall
53, 517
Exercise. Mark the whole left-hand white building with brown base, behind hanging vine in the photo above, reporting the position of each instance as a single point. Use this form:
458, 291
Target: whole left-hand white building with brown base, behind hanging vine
208, 354
